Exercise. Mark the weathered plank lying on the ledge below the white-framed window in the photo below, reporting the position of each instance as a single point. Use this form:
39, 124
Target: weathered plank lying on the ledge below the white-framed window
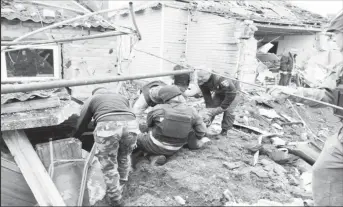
30, 105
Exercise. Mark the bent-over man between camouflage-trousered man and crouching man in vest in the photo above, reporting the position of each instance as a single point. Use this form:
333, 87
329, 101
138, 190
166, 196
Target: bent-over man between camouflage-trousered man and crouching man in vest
148, 97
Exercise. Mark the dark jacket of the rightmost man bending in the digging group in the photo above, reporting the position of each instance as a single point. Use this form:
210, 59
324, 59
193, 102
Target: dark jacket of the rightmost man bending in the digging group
221, 86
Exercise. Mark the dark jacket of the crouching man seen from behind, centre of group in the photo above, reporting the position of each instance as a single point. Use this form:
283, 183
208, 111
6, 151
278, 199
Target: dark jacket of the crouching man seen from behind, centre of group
157, 115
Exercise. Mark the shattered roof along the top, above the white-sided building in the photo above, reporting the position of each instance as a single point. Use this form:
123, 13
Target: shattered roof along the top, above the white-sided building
266, 12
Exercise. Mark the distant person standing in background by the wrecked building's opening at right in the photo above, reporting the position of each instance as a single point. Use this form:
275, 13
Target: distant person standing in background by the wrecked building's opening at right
287, 64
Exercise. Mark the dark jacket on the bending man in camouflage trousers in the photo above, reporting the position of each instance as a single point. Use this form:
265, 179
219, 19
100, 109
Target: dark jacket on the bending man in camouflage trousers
103, 107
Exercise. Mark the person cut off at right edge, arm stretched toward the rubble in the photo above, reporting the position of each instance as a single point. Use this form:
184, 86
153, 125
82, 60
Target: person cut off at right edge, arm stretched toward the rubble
327, 177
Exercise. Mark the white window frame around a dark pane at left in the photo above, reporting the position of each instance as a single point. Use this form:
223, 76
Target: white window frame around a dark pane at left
56, 65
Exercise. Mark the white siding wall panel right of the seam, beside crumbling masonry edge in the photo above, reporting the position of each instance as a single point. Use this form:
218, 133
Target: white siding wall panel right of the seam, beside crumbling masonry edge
211, 43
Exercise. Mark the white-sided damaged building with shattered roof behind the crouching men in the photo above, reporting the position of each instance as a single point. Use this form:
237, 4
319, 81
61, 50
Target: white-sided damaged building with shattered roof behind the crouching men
216, 35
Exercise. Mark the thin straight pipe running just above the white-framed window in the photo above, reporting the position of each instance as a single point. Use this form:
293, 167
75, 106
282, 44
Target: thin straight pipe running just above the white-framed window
107, 34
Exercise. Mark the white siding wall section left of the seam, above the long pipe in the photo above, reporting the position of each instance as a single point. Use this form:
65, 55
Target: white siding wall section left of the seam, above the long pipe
150, 27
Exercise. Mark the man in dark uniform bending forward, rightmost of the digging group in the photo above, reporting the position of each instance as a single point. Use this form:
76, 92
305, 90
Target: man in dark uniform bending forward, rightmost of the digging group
223, 100
